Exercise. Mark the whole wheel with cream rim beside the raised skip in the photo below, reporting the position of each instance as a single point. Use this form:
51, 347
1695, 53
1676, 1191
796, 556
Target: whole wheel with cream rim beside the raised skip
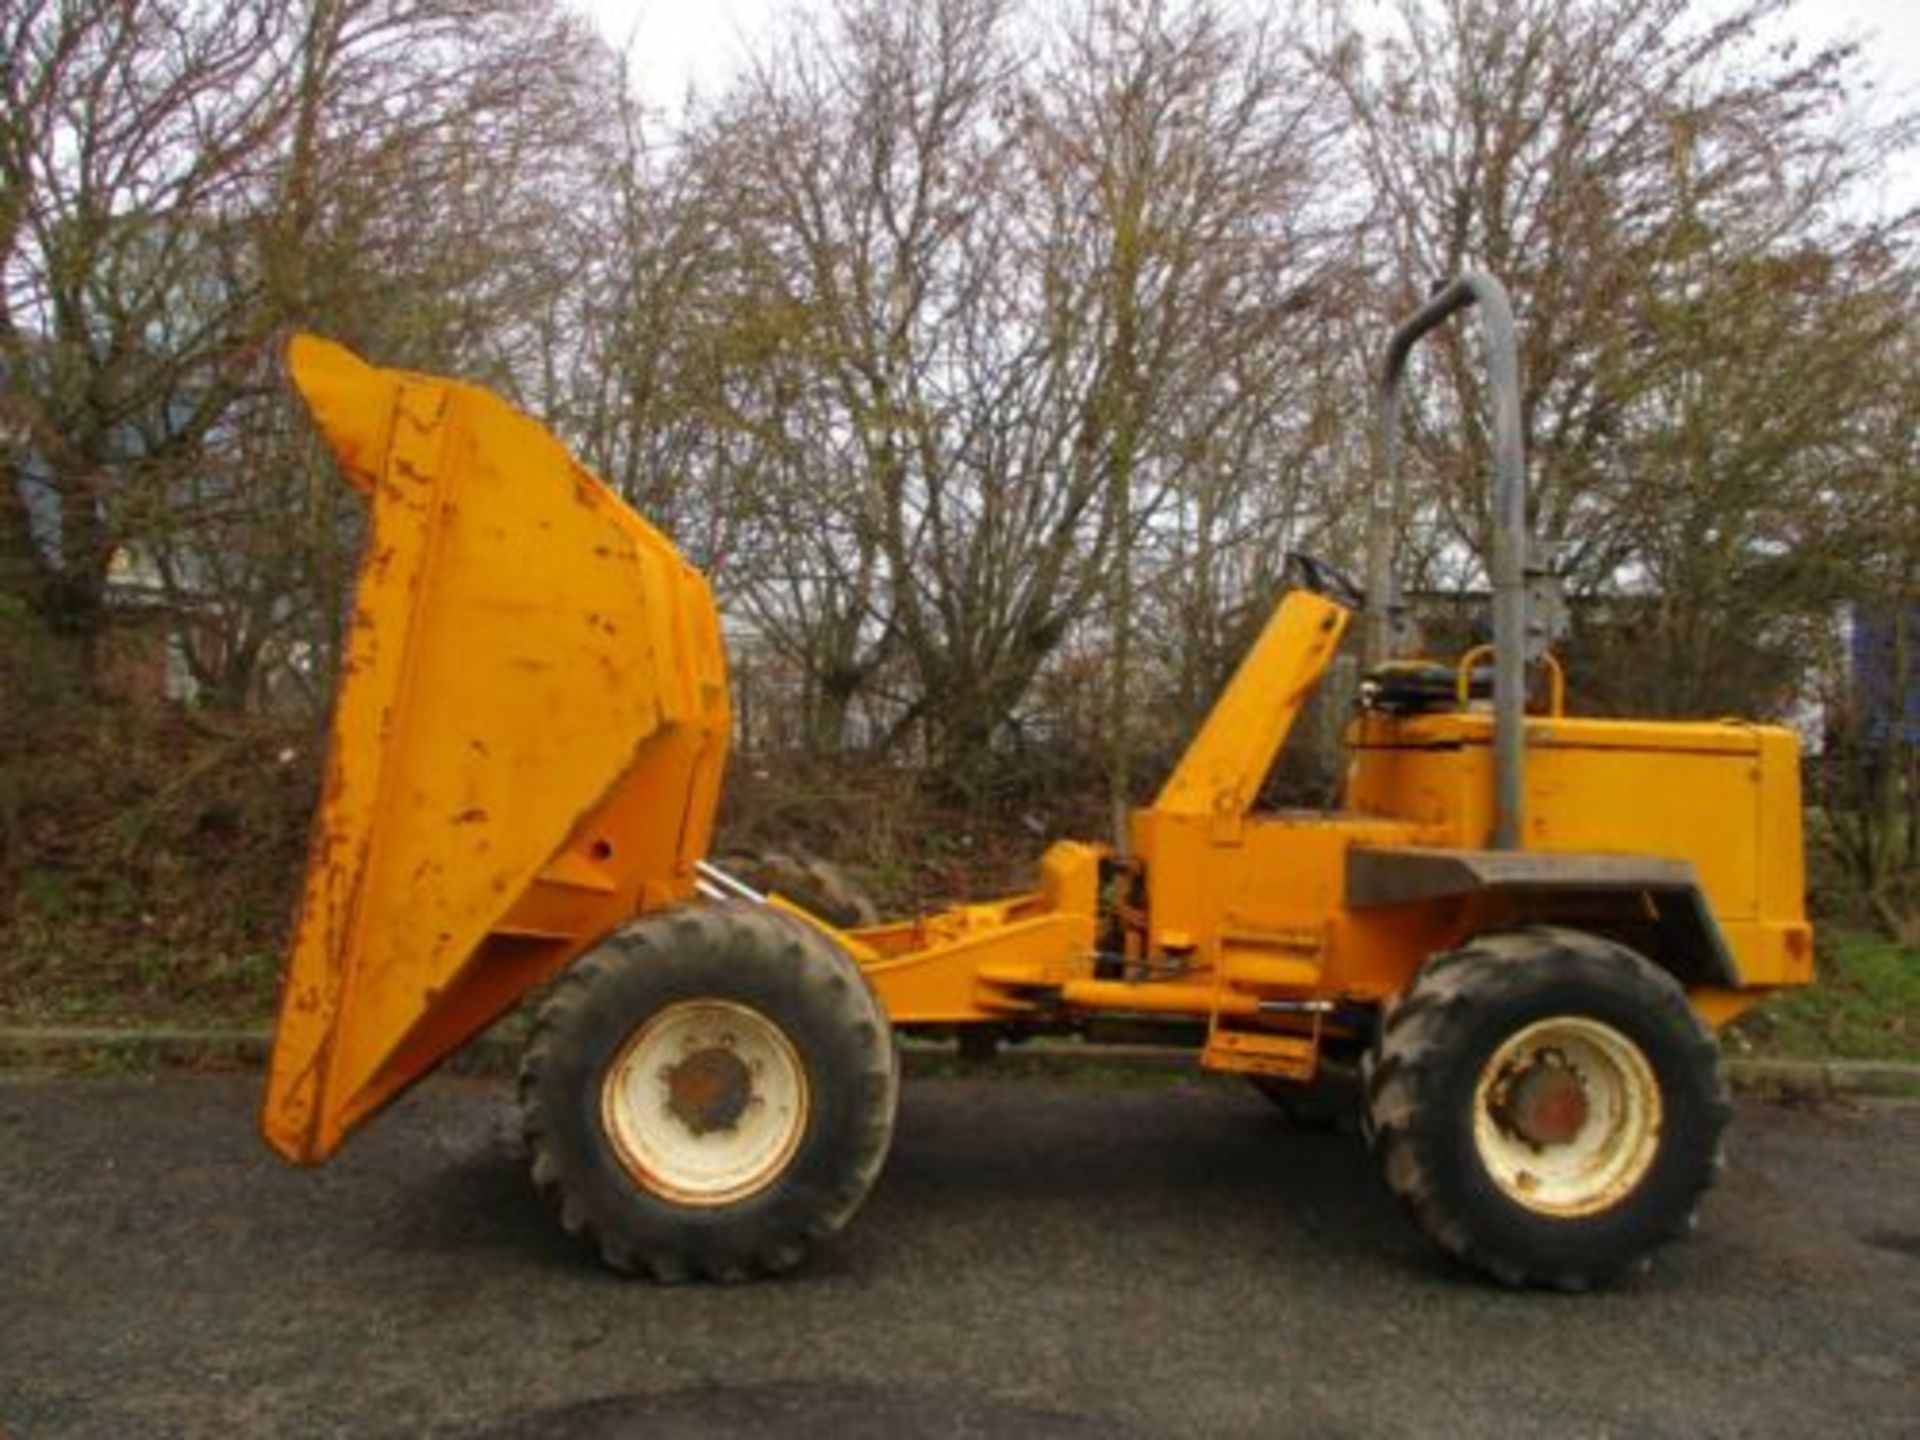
709, 1093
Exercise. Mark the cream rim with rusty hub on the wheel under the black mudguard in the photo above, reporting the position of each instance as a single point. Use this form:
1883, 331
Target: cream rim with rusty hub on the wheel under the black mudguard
1568, 1116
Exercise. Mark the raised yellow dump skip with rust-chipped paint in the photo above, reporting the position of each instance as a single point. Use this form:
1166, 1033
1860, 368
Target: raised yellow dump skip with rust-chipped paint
527, 742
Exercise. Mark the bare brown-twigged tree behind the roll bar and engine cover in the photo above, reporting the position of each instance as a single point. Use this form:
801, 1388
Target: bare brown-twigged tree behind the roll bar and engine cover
1668, 193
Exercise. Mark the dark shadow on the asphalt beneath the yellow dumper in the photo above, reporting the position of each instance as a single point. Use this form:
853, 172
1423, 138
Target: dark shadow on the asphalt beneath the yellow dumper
1193, 1172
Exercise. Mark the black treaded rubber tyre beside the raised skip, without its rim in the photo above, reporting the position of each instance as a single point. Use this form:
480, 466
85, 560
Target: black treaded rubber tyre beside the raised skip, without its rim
790, 974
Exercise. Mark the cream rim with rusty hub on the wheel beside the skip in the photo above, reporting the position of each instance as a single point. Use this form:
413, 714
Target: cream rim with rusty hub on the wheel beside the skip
706, 1103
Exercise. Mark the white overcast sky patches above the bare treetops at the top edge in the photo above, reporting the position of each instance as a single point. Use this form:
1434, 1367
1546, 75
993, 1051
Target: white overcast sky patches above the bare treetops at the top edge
700, 45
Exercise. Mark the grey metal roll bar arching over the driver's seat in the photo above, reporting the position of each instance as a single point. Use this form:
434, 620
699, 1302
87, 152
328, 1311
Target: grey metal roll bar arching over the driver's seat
1510, 525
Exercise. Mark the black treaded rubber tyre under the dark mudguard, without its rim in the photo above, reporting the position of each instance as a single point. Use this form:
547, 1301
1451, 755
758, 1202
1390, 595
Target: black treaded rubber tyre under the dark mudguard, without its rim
1429, 1055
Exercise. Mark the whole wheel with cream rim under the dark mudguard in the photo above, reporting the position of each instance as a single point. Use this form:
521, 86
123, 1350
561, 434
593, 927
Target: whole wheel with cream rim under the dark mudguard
1548, 1107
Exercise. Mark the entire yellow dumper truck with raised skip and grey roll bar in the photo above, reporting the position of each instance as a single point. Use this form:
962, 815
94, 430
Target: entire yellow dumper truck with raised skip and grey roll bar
1520, 928
